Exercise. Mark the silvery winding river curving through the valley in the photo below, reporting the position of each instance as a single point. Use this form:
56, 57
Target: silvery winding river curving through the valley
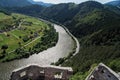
63, 47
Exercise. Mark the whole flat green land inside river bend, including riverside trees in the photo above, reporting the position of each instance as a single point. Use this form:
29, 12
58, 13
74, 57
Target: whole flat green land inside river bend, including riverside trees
22, 36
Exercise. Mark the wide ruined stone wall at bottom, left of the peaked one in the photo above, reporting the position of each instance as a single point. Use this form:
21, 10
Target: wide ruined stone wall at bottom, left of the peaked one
36, 72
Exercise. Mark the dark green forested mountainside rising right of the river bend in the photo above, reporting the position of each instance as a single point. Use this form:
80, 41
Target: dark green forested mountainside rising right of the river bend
98, 30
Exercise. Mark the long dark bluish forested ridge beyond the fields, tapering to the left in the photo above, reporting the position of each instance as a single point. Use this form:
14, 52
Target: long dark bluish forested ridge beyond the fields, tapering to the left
60, 12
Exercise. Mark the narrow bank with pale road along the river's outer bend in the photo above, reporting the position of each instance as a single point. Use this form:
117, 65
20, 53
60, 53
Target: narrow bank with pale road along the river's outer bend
74, 51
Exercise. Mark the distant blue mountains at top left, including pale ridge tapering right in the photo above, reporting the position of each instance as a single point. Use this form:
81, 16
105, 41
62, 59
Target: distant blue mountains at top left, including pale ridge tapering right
22, 3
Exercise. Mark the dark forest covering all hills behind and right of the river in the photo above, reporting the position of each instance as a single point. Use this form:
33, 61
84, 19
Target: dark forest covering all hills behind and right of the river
97, 27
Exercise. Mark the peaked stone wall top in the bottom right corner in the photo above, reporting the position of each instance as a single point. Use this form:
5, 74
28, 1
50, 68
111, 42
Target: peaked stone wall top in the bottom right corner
102, 72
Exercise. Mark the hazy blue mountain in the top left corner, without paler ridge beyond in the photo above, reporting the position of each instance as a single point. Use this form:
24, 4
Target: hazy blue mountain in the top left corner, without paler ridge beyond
14, 3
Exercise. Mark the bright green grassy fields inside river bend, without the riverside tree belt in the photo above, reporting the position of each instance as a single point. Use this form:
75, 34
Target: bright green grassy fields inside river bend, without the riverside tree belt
25, 32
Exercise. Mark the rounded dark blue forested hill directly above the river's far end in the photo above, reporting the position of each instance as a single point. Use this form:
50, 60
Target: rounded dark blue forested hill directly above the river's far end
61, 12
